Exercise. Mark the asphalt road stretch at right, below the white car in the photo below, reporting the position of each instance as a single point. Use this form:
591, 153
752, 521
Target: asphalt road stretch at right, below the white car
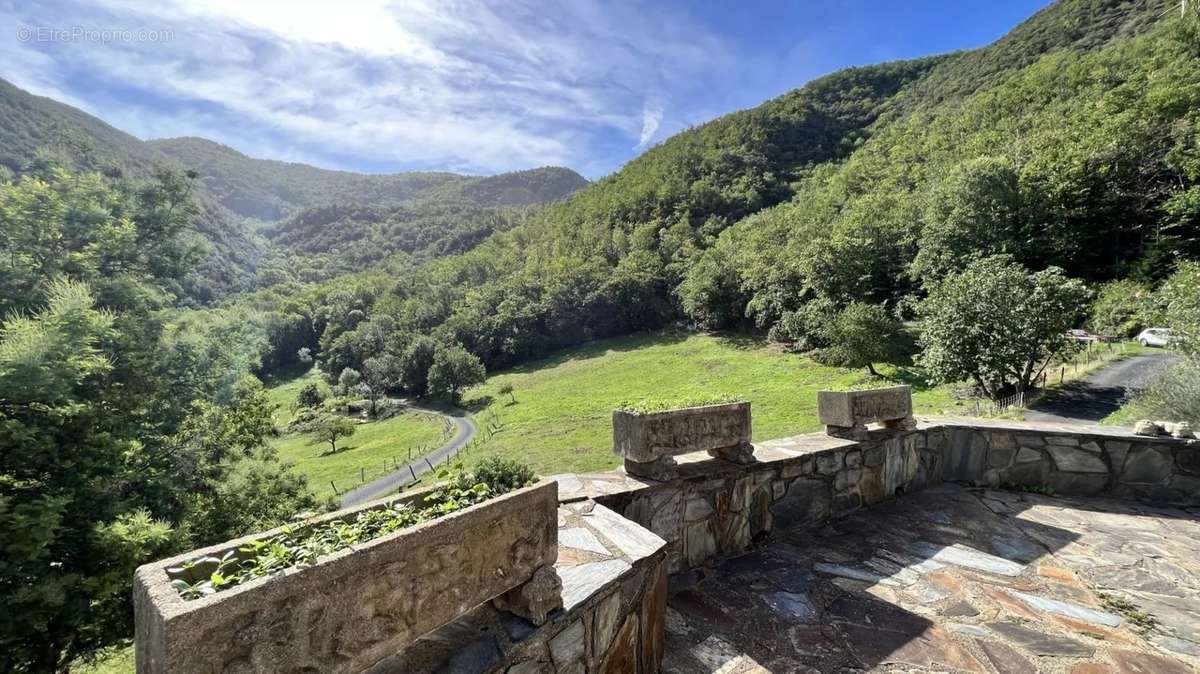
1101, 394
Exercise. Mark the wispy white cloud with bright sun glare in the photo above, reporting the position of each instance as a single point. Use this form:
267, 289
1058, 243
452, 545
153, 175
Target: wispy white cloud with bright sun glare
470, 86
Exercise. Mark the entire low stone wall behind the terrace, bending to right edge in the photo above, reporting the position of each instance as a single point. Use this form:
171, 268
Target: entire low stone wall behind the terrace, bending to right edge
717, 509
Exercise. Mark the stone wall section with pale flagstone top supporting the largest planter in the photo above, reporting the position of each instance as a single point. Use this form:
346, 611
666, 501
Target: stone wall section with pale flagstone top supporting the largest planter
614, 617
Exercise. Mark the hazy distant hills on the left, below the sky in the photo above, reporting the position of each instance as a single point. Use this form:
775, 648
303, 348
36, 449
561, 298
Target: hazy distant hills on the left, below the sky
236, 191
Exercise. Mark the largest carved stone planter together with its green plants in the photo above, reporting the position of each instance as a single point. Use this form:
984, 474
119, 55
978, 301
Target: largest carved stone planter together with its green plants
341, 592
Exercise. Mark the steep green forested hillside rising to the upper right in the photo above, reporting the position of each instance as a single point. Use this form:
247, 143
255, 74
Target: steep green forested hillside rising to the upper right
1072, 142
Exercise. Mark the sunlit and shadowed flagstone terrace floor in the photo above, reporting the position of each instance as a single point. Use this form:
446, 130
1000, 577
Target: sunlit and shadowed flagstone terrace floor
953, 580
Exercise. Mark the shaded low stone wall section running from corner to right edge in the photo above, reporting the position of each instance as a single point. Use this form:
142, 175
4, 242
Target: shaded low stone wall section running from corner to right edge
1073, 464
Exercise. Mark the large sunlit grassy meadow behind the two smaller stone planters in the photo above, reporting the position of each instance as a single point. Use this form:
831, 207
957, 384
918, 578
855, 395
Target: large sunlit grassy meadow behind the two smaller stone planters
561, 420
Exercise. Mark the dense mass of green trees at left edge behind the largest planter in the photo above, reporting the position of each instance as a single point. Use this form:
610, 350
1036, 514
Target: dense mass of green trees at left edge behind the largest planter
116, 426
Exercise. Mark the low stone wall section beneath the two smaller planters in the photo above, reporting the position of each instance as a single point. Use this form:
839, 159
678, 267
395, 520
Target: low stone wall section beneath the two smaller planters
716, 509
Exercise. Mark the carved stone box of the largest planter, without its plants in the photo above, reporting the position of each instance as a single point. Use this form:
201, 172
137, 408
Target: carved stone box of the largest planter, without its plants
362, 605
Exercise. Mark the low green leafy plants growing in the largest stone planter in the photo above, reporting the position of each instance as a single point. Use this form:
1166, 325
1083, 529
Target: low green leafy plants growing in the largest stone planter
297, 546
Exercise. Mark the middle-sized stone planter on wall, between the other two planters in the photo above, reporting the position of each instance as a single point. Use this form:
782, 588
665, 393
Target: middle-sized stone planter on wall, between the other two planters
649, 442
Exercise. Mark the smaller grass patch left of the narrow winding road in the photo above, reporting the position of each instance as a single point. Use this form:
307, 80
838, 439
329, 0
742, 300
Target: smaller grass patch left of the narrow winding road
368, 455
